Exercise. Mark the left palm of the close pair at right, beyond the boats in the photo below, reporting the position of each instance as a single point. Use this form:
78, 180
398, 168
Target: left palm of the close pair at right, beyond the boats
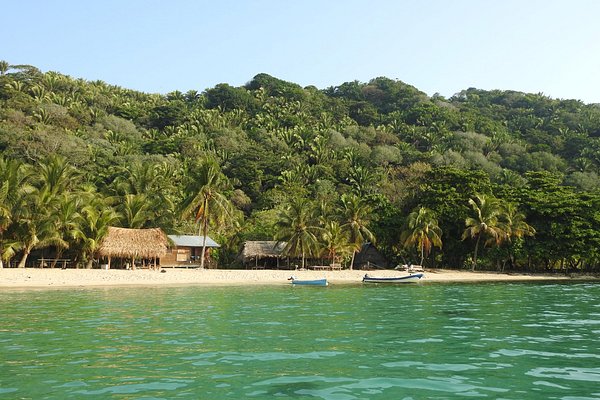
485, 224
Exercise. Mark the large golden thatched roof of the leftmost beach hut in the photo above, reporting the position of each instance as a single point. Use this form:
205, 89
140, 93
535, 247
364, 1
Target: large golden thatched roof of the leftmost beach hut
129, 243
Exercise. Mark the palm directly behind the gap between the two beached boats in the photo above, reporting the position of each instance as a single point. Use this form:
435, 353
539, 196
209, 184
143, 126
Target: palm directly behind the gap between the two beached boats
355, 214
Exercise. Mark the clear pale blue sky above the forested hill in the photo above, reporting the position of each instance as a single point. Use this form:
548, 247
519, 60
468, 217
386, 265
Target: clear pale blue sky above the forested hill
438, 46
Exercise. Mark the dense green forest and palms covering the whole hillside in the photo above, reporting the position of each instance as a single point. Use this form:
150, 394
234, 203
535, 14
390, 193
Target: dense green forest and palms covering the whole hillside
497, 180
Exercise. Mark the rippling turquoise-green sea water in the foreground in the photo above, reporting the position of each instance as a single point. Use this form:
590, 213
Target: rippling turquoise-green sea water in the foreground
431, 341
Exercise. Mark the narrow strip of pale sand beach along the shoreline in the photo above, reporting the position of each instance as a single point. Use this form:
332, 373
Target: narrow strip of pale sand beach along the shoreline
46, 278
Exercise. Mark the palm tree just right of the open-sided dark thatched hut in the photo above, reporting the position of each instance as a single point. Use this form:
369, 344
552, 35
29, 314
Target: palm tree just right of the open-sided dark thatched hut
296, 226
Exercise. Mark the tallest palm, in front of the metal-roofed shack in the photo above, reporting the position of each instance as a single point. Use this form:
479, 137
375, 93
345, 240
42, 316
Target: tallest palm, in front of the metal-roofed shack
207, 202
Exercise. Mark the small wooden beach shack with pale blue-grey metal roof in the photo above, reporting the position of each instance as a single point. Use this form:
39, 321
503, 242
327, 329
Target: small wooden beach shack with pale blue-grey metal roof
186, 250
